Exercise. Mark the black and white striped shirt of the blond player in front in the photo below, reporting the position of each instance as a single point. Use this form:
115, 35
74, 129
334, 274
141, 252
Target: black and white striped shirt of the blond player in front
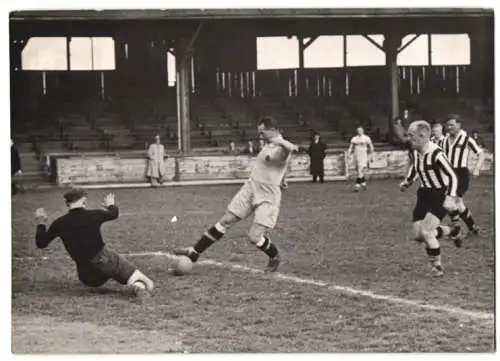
433, 169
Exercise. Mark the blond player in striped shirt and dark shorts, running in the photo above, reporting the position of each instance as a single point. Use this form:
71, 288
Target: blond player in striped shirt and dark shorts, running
437, 192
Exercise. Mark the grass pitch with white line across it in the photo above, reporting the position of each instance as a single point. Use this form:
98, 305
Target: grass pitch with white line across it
351, 279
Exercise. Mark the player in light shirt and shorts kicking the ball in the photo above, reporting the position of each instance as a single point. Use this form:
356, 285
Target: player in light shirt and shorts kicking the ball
260, 195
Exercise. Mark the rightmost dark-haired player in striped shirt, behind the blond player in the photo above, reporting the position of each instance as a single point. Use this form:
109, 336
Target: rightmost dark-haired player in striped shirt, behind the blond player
456, 146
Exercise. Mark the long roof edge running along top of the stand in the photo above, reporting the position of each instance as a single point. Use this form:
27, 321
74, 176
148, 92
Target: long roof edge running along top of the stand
178, 14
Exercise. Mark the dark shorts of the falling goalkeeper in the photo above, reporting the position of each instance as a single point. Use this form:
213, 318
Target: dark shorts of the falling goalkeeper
106, 265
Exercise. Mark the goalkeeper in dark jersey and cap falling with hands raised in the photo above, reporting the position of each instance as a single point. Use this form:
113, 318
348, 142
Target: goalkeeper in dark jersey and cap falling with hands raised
80, 232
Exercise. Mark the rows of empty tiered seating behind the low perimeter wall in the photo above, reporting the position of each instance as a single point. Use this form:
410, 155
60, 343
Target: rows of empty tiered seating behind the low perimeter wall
128, 124
